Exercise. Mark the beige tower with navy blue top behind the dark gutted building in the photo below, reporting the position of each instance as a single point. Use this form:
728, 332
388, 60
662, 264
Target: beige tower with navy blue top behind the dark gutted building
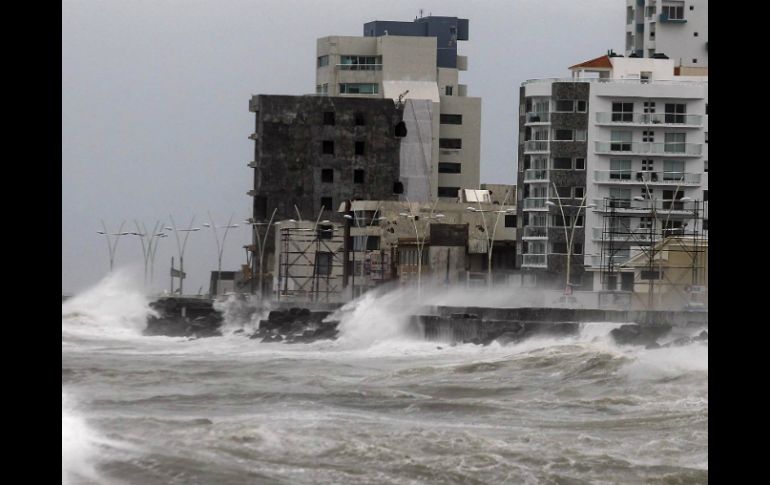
417, 64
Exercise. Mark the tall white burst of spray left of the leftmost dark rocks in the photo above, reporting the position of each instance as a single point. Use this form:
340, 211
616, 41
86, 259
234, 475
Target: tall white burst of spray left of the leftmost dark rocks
116, 306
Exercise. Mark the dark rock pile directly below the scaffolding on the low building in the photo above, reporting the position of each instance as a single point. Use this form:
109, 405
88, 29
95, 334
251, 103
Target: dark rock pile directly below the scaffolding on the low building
296, 325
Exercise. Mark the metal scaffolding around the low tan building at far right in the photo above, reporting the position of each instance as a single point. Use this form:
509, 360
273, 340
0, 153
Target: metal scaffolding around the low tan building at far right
663, 231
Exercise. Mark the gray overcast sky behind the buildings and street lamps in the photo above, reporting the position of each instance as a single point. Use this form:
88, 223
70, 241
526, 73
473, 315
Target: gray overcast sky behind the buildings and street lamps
155, 98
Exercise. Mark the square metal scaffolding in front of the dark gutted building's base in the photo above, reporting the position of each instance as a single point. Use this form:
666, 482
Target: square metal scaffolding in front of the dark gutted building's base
310, 266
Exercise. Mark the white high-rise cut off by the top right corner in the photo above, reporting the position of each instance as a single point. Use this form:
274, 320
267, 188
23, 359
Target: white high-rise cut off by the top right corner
677, 29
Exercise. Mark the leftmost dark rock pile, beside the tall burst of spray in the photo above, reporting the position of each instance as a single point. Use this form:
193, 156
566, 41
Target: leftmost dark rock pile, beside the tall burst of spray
184, 317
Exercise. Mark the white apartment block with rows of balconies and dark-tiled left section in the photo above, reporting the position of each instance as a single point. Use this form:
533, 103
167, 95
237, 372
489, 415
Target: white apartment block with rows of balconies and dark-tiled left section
622, 142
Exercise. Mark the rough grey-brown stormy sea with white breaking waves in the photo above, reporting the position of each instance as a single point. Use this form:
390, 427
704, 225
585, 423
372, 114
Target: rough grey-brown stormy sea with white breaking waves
375, 406
